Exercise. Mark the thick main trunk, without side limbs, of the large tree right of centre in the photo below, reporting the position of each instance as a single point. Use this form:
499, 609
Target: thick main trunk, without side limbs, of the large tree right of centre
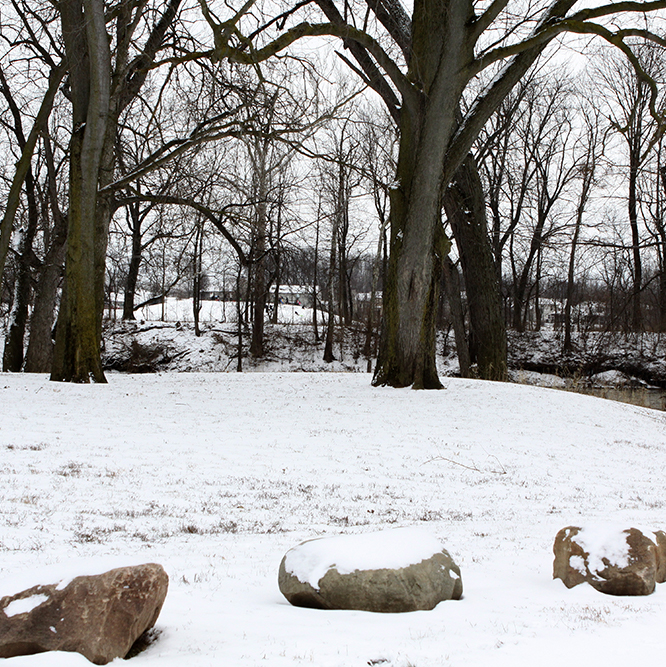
428, 121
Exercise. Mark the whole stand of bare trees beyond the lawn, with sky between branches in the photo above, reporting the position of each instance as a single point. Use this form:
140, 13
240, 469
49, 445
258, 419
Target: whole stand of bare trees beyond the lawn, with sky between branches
456, 160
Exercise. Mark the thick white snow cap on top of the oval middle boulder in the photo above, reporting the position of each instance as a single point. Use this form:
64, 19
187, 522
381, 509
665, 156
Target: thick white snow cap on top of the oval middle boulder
392, 549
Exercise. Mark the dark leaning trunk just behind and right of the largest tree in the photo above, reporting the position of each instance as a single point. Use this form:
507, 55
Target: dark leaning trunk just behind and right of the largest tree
465, 209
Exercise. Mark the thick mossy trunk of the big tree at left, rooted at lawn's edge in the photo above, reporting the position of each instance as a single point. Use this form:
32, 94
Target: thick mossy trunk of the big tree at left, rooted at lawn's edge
78, 333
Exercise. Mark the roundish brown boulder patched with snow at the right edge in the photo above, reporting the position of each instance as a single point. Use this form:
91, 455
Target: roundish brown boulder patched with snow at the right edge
617, 562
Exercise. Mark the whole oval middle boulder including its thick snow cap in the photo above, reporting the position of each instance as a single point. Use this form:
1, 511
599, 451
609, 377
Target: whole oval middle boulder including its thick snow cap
390, 571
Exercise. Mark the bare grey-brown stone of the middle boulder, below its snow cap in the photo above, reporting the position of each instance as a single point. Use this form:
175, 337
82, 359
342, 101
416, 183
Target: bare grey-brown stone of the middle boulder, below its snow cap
417, 586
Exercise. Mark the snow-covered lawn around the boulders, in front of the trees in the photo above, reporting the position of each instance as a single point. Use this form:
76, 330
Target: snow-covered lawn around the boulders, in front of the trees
216, 476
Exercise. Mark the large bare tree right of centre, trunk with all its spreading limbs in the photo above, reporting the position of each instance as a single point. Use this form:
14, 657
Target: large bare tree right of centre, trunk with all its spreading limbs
445, 46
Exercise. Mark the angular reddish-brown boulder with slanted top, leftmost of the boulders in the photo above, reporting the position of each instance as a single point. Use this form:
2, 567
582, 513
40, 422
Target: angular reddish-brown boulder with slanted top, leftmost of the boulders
99, 616
